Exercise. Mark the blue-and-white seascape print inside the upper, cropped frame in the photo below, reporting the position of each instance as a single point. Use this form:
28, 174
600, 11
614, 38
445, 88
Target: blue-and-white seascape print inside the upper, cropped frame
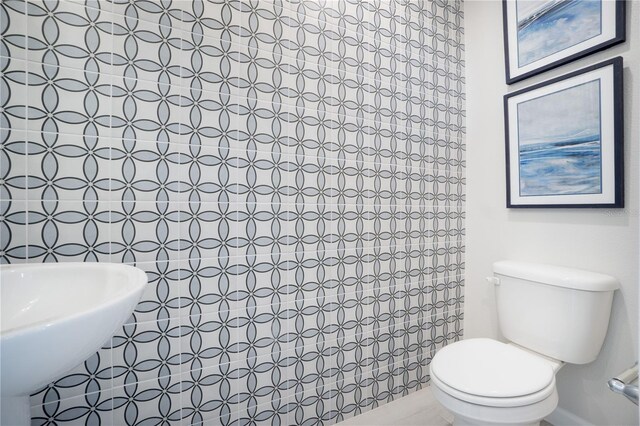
549, 26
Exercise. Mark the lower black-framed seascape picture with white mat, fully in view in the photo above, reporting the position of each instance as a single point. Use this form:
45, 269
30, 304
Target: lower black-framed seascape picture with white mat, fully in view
564, 140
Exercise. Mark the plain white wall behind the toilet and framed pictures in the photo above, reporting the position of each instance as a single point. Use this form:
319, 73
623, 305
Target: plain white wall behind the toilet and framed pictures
600, 240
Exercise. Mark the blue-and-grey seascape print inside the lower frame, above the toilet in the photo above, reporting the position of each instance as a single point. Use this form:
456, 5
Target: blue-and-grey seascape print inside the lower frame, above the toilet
559, 142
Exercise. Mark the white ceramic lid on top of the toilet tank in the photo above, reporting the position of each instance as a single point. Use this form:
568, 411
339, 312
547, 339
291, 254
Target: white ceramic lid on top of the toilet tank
556, 275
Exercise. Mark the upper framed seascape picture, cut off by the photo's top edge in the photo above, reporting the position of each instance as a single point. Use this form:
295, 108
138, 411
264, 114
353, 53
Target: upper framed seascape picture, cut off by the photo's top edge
543, 34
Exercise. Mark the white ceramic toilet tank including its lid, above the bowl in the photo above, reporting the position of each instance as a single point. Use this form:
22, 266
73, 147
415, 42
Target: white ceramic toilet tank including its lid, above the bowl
559, 312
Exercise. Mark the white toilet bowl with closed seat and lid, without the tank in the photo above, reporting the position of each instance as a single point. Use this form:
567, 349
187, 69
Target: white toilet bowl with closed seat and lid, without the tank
486, 382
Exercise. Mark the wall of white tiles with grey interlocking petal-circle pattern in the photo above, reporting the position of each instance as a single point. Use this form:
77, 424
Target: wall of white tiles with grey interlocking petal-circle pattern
289, 174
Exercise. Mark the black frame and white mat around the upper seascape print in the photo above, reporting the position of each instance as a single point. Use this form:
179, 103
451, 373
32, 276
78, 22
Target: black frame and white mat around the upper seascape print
515, 73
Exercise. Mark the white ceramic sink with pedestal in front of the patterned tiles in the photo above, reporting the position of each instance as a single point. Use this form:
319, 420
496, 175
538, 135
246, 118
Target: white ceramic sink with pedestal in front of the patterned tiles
52, 318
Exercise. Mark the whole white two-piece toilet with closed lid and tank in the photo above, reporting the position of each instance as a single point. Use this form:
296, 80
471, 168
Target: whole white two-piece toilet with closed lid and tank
550, 316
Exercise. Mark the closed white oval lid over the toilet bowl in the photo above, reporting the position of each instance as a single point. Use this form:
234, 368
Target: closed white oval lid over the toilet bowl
488, 368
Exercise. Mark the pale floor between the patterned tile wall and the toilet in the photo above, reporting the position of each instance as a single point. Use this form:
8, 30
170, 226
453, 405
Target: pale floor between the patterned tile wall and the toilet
417, 409
